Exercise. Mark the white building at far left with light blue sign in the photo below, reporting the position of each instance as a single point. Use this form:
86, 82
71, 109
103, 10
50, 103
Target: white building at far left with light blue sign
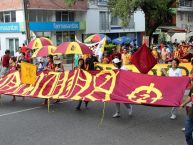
12, 28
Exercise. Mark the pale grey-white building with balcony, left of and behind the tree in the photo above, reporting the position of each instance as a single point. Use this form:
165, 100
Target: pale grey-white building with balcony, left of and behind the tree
100, 20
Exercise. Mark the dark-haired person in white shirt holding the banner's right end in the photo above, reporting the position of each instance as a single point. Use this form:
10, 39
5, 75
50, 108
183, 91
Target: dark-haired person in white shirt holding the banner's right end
174, 71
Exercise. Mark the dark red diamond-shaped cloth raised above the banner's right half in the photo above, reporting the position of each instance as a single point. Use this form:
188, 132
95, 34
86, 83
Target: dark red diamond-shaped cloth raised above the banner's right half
143, 59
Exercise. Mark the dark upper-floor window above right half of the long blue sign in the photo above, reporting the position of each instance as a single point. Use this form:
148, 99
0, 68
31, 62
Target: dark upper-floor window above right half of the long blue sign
64, 16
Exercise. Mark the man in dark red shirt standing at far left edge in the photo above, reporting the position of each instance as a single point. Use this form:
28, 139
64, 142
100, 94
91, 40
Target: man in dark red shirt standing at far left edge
5, 63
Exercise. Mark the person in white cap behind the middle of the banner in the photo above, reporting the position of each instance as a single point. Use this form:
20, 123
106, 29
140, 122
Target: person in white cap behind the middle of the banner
118, 65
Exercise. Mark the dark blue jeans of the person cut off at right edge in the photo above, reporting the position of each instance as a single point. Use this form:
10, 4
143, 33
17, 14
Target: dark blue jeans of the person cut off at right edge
188, 131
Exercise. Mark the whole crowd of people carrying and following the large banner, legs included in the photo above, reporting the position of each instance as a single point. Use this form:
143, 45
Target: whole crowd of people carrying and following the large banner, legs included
119, 57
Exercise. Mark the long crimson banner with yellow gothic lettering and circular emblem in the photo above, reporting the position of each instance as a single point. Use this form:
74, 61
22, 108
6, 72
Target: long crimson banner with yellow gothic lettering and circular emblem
102, 86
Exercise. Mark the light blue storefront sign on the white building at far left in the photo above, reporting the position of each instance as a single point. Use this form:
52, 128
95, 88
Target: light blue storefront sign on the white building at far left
10, 27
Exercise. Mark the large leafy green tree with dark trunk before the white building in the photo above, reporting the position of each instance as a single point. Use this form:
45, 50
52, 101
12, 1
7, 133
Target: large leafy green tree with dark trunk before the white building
157, 12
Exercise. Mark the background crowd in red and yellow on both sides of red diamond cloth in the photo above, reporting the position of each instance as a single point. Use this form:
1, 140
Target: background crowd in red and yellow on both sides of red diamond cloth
163, 53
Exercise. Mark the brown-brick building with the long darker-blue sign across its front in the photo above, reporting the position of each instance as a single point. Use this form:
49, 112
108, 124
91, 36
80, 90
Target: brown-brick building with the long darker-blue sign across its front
56, 20
